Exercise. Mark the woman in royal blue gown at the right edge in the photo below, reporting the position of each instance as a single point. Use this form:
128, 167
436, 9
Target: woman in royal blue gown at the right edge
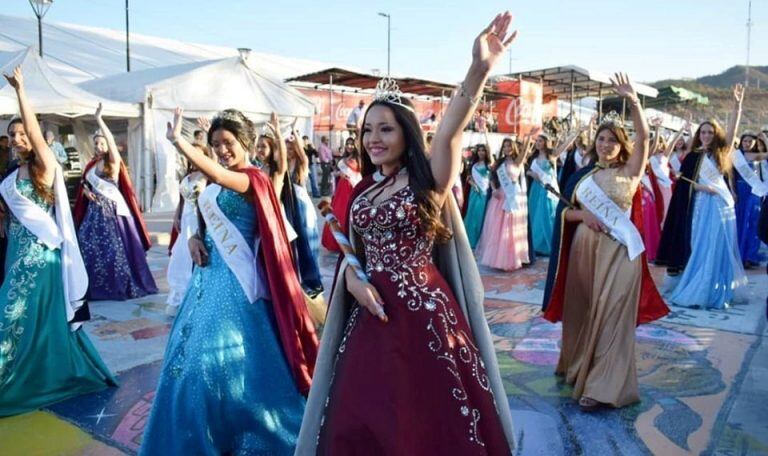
747, 203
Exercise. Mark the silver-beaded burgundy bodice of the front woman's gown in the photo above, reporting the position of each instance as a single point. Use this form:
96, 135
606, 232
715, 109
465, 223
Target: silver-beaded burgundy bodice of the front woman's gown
391, 233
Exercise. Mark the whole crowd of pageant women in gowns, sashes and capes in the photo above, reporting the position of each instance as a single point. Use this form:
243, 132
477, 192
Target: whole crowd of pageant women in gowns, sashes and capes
406, 362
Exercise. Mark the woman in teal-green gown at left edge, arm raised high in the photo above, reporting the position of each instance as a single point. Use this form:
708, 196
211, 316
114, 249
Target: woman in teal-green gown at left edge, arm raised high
42, 360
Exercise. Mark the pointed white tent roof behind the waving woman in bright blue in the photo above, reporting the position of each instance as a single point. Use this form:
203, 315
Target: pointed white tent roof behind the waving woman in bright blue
203, 88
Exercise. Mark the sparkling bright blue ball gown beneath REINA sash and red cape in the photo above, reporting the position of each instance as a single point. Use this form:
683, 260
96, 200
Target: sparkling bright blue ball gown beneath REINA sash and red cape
225, 386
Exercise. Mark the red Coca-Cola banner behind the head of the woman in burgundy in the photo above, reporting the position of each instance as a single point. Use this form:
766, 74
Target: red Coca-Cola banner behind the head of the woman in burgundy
345, 102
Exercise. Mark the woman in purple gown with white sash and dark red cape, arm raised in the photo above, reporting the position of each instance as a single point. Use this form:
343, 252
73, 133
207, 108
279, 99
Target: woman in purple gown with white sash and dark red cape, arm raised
110, 228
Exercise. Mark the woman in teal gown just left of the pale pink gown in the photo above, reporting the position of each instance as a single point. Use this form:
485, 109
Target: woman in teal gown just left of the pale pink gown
478, 195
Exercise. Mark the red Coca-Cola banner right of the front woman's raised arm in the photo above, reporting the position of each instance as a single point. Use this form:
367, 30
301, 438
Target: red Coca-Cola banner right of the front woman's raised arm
520, 115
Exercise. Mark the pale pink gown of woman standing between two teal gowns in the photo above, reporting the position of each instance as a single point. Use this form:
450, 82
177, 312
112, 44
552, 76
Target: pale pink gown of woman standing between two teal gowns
504, 241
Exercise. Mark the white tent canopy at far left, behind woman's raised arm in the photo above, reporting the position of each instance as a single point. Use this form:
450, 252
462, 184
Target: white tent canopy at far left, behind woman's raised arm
51, 94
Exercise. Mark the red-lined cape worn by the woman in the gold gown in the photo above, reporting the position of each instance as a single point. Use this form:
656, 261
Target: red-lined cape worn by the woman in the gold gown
651, 306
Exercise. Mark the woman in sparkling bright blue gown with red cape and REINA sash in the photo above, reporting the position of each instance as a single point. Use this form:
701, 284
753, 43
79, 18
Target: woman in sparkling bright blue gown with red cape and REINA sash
239, 357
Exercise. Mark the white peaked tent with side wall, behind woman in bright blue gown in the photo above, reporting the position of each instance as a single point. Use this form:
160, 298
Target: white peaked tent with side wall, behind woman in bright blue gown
202, 89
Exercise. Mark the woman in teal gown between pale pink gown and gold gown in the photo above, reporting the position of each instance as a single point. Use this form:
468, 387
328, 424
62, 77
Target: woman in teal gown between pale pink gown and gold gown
541, 205
